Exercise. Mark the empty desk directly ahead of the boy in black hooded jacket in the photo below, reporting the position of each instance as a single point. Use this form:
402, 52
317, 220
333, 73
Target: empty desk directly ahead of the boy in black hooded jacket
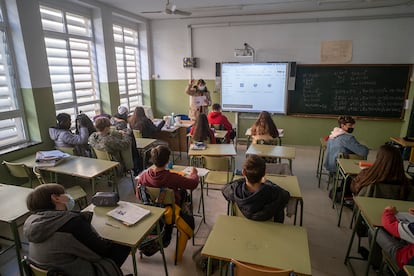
272, 151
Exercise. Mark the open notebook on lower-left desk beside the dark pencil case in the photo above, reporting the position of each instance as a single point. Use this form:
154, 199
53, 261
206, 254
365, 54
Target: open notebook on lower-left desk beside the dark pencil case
128, 213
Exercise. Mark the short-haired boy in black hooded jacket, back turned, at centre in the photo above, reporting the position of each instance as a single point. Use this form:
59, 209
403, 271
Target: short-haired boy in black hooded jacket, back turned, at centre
256, 197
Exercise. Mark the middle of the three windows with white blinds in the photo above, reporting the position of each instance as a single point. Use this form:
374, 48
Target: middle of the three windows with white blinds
72, 63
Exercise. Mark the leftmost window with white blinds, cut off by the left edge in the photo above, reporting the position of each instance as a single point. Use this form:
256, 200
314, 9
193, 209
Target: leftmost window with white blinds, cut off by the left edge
12, 122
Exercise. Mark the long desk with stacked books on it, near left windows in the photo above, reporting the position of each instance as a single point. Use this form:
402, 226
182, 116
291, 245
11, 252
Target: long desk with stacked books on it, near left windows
83, 167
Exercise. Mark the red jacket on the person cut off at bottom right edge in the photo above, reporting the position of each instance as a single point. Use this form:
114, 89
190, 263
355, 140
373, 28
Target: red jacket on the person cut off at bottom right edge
400, 230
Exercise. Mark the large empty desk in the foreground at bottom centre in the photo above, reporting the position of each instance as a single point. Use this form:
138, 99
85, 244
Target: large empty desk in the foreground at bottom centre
258, 242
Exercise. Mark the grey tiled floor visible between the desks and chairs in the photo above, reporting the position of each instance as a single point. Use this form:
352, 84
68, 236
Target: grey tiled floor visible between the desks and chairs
327, 242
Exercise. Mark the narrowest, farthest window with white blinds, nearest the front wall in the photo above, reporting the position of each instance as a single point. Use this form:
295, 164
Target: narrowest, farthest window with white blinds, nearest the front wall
128, 66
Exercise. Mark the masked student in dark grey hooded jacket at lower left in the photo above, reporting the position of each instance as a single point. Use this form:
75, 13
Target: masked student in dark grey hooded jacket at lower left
65, 241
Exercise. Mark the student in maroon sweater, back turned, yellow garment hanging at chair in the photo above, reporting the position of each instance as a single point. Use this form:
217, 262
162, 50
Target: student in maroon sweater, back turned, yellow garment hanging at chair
160, 177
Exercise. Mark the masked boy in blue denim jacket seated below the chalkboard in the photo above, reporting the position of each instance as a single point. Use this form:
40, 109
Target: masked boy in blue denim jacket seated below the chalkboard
342, 140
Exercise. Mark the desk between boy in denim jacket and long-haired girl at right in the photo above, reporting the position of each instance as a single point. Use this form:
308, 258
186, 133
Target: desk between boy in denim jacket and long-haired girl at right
345, 169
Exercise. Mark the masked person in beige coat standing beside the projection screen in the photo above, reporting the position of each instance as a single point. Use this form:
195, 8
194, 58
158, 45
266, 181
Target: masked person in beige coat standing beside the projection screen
197, 107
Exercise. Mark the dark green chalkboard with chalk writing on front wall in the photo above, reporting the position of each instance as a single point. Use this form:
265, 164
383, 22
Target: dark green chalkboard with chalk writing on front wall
376, 91
